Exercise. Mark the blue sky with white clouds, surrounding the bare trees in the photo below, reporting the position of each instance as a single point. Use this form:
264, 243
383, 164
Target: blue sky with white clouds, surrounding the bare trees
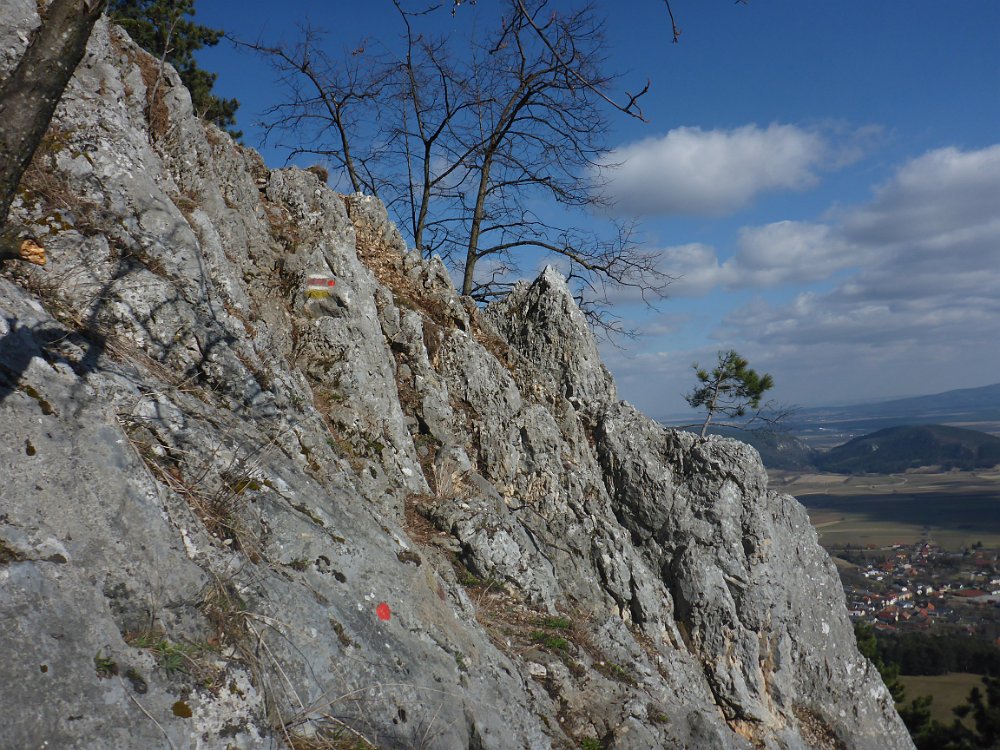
823, 178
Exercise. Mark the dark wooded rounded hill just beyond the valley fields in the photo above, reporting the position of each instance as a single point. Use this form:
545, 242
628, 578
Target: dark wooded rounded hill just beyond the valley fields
897, 449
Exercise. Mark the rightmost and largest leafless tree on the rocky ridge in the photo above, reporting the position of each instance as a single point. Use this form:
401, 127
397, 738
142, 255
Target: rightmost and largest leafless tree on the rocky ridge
541, 132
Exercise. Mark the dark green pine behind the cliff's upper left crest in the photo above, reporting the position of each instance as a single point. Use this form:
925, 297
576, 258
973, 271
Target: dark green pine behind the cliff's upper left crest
164, 29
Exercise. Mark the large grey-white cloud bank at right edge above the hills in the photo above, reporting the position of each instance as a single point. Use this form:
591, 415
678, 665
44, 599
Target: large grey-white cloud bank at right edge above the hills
920, 303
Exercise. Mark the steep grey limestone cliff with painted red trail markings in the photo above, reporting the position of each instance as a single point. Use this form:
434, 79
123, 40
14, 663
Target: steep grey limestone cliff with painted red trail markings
233, 515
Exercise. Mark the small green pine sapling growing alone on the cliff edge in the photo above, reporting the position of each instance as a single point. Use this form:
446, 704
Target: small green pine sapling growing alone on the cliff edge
729, 389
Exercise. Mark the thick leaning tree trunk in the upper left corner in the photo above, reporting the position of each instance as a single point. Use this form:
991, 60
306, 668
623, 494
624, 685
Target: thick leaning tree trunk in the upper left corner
28, 98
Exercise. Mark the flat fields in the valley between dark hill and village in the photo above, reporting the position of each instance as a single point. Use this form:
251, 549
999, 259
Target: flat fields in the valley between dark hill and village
954, 509
